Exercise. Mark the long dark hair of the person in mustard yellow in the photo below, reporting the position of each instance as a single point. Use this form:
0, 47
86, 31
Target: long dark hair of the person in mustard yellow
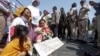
20, 32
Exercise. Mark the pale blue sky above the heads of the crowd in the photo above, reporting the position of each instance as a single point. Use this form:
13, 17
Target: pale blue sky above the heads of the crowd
48, 4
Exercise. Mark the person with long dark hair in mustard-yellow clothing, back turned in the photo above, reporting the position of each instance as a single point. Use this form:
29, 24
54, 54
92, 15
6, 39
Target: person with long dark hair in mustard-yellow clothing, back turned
20, 43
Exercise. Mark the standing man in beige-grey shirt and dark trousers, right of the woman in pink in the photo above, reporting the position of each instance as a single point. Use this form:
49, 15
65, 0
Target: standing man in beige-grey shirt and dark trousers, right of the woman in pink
55, 21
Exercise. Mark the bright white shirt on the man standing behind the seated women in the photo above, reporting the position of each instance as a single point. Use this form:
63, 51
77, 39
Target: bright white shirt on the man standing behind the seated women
35, 14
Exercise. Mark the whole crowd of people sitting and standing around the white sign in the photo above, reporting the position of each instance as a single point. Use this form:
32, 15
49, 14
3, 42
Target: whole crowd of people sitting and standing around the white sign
26, 26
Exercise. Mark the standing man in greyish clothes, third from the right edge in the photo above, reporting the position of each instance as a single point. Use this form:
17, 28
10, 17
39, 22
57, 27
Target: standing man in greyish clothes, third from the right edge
73, 18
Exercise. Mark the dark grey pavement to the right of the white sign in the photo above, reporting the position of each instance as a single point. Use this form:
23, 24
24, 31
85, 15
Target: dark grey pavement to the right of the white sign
74, 48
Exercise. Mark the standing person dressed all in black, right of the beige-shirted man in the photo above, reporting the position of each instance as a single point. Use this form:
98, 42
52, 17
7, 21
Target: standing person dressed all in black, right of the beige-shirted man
62, 21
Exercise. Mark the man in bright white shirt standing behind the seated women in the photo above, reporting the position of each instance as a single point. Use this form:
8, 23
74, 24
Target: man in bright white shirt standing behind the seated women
35, 13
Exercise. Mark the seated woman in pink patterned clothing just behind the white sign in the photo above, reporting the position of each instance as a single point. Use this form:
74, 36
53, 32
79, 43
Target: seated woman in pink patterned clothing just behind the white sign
43, 31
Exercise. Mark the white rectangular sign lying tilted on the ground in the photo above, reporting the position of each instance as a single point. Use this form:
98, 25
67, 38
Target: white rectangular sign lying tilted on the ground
47, 47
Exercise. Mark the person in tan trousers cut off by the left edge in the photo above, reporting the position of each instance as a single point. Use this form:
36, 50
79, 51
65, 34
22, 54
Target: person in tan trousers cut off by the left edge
4, 13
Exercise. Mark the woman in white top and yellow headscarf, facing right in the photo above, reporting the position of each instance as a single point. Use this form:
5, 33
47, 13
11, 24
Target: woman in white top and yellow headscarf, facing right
22, 20
